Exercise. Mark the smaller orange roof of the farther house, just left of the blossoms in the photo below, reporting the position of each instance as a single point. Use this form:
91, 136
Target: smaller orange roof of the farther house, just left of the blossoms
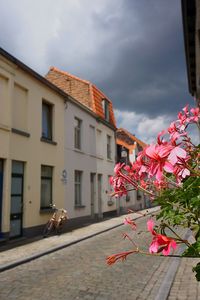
128, 140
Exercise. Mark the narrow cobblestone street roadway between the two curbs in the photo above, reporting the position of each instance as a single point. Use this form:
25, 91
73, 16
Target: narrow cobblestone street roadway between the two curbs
80, 272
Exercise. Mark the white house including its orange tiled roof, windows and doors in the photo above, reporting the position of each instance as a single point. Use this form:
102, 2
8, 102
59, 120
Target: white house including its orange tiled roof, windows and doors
91, 160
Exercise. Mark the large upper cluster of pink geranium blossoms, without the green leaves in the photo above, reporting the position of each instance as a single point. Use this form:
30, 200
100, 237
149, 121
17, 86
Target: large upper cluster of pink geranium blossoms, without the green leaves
161, 164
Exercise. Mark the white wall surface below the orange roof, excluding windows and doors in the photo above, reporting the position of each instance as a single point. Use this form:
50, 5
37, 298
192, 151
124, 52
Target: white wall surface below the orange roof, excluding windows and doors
91, 159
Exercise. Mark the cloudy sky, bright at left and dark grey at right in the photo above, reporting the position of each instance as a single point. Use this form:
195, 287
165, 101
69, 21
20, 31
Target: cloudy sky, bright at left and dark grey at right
132, 50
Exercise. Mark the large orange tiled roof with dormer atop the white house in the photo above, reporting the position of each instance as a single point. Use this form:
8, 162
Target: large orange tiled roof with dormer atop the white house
83, 91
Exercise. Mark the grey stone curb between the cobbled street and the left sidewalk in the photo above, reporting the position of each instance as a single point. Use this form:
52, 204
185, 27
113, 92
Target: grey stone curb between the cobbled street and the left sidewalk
14, 264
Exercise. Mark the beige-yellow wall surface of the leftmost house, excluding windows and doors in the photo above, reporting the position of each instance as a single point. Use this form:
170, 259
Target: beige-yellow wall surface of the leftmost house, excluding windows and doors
21, 98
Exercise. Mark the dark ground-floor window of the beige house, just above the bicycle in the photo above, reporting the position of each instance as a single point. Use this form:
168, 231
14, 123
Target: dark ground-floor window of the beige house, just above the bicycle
46, 186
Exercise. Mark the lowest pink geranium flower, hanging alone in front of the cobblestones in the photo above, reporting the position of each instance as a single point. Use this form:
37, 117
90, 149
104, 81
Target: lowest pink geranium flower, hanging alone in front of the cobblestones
160, 242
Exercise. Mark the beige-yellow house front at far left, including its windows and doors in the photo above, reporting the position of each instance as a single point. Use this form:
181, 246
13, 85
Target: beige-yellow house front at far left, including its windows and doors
31, 148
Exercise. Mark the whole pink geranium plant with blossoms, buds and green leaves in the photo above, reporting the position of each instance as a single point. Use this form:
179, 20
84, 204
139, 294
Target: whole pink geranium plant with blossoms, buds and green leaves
161, 171
